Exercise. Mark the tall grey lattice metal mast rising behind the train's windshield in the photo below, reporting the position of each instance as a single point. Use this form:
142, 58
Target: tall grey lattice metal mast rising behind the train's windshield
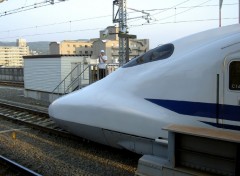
120, 16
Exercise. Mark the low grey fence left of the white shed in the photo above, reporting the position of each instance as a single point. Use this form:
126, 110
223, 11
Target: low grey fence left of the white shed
12, 75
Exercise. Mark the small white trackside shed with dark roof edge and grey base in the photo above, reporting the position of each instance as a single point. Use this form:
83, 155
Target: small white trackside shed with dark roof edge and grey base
43, 73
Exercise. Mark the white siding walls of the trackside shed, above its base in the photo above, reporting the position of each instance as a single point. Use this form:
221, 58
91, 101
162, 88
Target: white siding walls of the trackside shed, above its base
46, 72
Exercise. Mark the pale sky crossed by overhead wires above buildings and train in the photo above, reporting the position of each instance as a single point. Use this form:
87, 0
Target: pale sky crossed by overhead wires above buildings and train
82, 19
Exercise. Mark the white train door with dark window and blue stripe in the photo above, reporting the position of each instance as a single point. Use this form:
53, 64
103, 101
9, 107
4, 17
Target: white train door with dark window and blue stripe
230, 111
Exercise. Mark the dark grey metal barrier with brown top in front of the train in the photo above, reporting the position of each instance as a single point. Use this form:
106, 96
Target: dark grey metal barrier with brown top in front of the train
195, 151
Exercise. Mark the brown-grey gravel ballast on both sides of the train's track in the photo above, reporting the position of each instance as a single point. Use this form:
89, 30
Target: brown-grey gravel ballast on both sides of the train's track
48, 154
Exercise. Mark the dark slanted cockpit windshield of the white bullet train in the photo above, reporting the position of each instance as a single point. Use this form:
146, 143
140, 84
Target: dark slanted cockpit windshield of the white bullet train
159, 53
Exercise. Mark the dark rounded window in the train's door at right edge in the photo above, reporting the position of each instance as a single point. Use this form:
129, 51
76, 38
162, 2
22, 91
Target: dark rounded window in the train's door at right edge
234, 75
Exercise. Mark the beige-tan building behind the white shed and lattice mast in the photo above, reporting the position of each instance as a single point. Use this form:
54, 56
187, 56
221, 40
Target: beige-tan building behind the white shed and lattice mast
109, 43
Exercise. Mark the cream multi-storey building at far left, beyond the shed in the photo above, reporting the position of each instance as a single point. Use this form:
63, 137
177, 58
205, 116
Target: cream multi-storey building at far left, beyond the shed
12, 56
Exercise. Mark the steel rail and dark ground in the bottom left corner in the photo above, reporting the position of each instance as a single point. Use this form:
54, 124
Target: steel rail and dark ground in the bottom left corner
9, 167
